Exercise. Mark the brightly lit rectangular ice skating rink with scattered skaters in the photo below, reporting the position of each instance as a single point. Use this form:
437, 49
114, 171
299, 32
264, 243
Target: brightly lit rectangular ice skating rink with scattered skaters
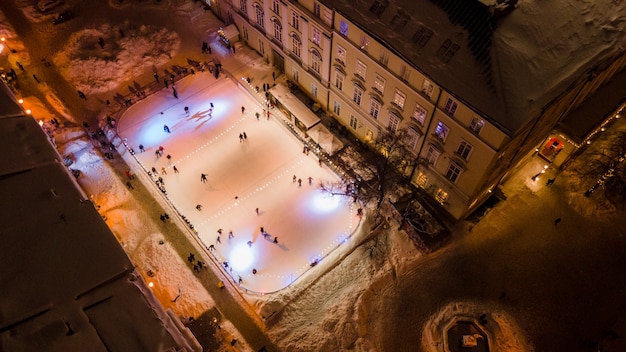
242, 175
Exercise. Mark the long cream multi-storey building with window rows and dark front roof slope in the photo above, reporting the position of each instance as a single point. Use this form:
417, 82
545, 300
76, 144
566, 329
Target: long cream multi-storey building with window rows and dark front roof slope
425, 68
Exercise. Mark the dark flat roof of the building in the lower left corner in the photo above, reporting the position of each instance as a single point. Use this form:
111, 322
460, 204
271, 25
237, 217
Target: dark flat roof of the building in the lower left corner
67, 284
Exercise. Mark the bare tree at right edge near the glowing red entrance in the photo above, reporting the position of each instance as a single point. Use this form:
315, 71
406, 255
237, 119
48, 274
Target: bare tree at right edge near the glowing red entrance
607, 167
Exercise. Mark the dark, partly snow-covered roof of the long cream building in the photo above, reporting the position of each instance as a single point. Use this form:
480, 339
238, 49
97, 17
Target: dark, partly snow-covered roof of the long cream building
510, 62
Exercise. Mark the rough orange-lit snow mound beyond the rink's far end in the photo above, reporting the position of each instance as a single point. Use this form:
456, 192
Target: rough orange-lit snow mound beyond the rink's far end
99, 60
